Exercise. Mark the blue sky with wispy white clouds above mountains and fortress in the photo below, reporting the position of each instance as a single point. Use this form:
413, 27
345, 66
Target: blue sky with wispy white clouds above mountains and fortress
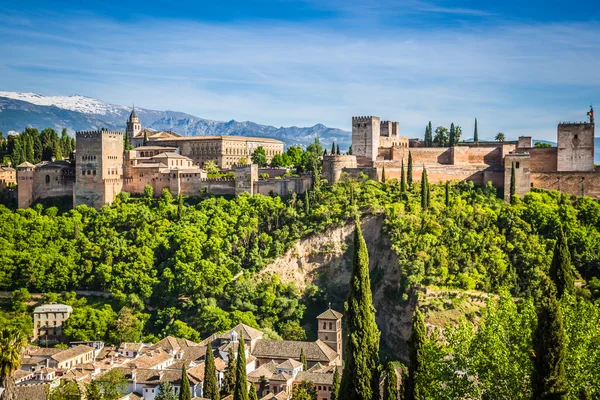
520, 67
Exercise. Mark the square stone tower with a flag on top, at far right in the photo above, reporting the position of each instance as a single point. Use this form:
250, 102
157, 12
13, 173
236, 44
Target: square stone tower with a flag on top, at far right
575, 147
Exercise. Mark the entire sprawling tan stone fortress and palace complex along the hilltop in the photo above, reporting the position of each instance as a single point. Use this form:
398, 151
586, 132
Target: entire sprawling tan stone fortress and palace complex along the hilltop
103, 168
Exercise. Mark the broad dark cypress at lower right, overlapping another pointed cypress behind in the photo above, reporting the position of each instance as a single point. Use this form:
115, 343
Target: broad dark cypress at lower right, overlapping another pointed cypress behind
548, 377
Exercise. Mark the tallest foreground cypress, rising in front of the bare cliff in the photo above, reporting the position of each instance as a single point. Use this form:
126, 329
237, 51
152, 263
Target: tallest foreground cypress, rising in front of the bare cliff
360, 378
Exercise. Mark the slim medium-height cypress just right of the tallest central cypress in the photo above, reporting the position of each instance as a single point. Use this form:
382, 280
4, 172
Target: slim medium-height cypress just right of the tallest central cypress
413, 390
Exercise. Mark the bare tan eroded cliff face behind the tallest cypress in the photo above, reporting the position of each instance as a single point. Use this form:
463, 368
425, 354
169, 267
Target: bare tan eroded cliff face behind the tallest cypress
325, 259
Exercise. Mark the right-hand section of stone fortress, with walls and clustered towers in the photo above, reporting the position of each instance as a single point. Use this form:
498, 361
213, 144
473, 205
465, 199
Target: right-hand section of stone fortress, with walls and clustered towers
569, 167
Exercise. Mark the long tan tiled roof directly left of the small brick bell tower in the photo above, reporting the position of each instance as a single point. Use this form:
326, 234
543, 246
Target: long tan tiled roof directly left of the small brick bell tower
314, 351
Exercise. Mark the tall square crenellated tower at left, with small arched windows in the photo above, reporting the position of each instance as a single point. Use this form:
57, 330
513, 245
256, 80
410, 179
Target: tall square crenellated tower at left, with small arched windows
99, 167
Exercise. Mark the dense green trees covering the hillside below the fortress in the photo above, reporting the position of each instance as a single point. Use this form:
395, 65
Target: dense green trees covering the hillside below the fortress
189, 270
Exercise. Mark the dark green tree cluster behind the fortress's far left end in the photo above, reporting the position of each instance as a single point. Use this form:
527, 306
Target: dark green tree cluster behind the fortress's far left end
34, 146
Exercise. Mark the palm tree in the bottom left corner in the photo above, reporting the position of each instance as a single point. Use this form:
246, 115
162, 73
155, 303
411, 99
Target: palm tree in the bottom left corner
12, 342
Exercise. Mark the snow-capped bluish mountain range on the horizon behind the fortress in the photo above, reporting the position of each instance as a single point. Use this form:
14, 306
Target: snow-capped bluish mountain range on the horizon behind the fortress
20, 110
